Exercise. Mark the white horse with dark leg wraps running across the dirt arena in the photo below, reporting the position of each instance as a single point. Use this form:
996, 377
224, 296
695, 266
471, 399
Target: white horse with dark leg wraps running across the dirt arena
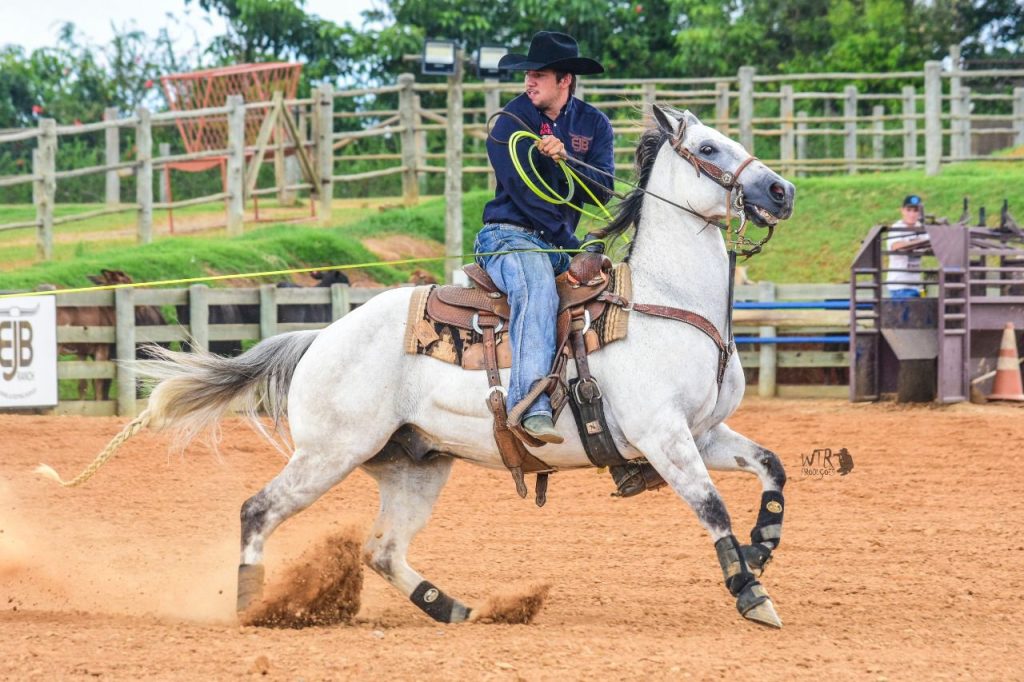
351, 387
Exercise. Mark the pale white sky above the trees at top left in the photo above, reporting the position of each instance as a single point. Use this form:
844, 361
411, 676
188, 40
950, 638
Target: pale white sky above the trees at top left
34, 24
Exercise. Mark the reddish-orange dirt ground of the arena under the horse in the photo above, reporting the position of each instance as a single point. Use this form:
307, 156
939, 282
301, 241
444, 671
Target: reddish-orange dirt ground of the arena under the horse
907, 569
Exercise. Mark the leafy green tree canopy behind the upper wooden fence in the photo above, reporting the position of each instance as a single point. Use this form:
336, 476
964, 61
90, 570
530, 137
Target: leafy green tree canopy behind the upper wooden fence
632, 38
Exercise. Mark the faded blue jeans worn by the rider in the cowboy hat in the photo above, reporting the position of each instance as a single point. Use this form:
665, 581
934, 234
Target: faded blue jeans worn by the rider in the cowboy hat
529, 280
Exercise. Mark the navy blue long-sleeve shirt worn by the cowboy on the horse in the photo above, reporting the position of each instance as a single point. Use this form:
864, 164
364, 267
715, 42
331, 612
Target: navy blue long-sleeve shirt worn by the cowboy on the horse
587, 136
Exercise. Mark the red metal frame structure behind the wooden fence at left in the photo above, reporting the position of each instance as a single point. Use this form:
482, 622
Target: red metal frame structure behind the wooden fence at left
211, 88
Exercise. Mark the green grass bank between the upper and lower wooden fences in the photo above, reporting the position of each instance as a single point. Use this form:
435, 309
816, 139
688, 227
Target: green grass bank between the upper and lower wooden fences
832, 218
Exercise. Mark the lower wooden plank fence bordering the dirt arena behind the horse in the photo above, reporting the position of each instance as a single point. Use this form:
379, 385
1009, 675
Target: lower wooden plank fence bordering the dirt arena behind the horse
125, 335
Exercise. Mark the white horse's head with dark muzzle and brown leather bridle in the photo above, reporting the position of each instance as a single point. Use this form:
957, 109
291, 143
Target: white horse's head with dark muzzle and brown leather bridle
767, 197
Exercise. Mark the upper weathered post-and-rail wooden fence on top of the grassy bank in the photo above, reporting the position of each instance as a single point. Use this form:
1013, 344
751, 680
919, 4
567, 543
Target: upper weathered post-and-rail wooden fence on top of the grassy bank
901, 120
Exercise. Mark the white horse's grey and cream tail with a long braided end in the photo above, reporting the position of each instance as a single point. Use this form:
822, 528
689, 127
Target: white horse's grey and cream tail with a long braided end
196, 390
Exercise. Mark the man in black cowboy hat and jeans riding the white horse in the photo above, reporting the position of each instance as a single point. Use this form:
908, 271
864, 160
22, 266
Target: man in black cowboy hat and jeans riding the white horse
518, 221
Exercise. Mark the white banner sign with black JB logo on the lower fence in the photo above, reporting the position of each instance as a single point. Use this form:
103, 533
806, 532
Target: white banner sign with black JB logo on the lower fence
28, 352
